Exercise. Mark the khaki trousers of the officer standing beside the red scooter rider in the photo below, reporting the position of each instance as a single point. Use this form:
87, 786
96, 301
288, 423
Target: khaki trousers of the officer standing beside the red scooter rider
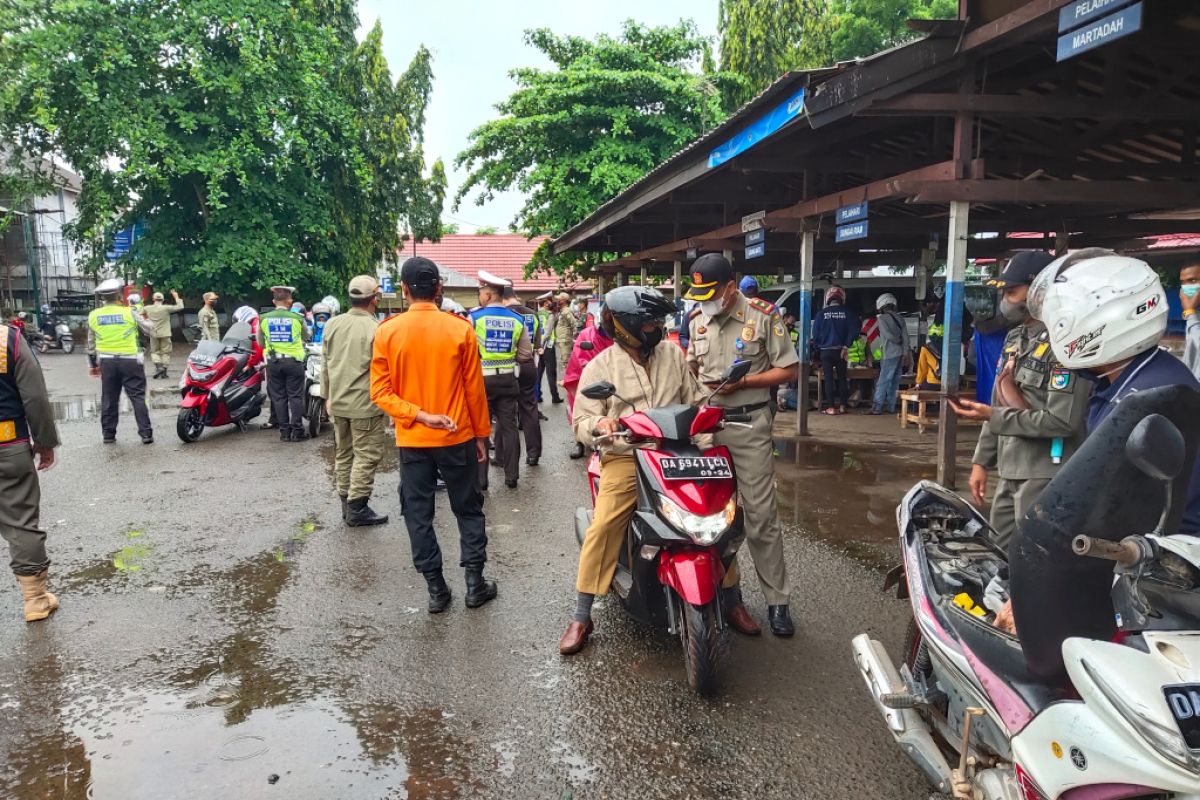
754, 461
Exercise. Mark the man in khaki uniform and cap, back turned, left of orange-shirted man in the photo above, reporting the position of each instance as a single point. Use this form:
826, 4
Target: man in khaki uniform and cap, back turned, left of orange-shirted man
359, 430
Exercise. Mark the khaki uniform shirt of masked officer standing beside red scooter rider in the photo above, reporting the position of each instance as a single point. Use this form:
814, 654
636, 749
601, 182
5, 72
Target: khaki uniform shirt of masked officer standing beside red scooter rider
749, 330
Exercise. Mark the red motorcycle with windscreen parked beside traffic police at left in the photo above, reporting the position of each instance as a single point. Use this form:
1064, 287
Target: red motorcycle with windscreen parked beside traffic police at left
223, 384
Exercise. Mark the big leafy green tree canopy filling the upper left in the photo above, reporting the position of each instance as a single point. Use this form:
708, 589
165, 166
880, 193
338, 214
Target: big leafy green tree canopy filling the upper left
257, 140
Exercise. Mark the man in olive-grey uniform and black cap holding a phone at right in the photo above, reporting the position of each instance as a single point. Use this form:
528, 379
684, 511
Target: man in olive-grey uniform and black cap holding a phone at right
1039, 413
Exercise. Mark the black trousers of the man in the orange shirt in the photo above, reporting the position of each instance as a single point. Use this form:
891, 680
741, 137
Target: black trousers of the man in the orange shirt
421, 468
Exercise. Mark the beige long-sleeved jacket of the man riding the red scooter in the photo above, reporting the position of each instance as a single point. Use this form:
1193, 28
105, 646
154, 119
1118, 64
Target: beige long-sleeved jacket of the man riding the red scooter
664, 381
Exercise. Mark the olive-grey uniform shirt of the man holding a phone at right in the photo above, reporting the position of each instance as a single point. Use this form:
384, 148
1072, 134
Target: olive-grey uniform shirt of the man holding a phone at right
1017, 442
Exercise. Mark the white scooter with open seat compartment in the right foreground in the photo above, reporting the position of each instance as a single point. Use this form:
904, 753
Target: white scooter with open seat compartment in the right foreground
1100, 699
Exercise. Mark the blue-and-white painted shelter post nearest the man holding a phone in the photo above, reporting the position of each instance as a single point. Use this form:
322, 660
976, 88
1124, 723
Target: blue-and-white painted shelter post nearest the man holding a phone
952, 342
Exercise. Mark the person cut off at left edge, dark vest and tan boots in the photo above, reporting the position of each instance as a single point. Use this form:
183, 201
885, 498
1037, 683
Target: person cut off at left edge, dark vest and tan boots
27, 430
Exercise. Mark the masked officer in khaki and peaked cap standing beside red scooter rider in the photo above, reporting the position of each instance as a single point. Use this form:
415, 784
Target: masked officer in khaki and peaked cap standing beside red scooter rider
730, 328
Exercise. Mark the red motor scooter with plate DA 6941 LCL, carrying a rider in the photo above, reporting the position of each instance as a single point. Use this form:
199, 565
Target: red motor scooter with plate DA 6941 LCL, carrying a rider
687, 528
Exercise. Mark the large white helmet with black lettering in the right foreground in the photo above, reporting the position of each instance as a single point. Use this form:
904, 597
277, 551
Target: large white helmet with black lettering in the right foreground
1100, 308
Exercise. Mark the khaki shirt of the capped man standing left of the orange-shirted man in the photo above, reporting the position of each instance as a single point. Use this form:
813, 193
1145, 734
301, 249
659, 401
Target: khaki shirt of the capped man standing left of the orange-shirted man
346, 368
